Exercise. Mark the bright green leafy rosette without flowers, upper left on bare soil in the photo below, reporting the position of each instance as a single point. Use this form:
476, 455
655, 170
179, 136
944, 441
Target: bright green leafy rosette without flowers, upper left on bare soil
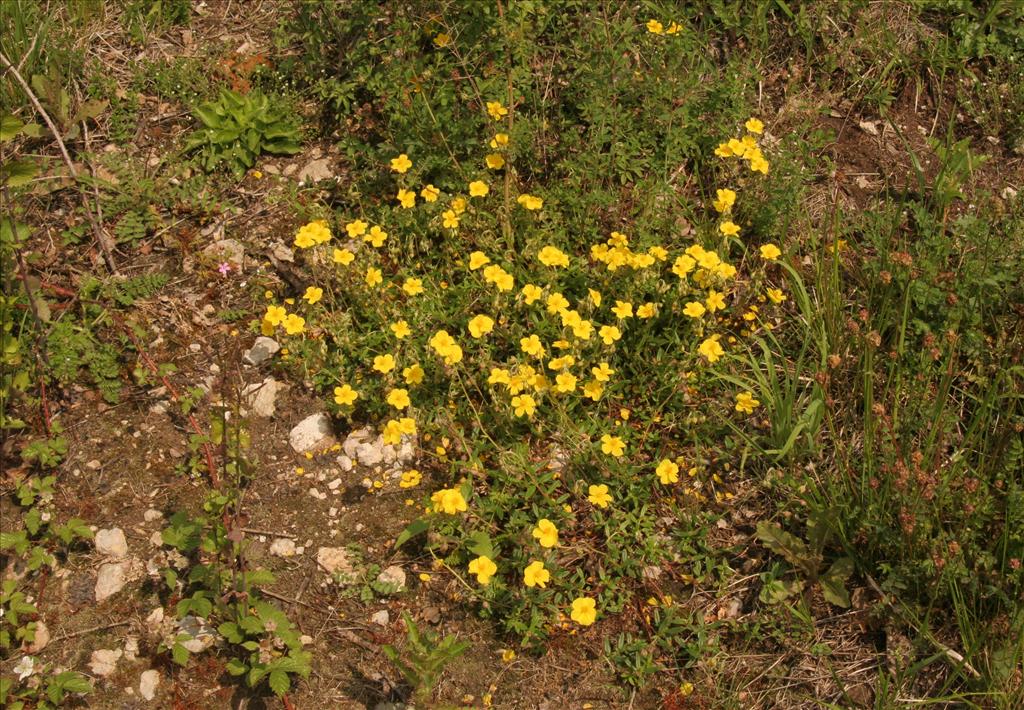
237, 130
